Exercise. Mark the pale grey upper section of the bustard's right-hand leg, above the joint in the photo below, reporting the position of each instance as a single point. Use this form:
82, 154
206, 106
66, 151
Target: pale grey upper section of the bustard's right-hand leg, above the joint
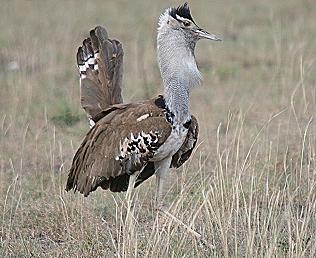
162, 169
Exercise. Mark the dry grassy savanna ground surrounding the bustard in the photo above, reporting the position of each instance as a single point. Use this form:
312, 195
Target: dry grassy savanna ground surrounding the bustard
249, 187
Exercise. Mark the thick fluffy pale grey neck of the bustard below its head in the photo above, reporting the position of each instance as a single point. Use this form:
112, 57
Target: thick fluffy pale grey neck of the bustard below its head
178, 70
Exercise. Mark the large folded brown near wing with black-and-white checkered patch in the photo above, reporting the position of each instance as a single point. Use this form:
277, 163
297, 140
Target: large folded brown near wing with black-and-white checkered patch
119, 144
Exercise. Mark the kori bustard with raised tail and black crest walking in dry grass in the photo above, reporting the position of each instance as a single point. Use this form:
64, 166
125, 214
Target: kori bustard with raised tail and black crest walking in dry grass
128, 143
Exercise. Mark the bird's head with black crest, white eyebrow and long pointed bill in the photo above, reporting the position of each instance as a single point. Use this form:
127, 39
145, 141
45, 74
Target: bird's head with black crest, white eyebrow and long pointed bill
180, 20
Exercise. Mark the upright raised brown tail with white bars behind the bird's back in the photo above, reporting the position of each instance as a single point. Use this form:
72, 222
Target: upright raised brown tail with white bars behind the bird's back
100, 63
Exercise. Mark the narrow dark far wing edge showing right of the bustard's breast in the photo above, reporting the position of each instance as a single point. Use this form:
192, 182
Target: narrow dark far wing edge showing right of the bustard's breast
187, 147
